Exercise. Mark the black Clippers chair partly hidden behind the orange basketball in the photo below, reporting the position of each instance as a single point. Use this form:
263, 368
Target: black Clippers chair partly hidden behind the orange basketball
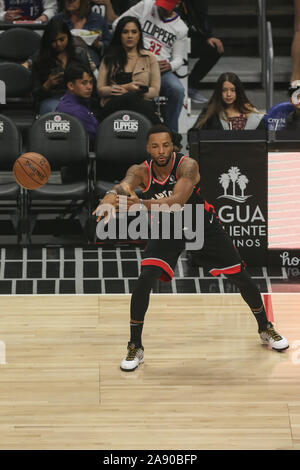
63, 140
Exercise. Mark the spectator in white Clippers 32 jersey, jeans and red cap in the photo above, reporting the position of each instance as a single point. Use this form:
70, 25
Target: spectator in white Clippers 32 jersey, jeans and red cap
164, 34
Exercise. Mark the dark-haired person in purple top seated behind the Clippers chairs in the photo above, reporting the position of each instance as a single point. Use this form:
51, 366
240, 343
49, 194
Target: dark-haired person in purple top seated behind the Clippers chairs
79, 82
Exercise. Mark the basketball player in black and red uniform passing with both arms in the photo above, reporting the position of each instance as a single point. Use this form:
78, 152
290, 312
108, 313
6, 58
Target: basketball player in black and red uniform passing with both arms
170, 178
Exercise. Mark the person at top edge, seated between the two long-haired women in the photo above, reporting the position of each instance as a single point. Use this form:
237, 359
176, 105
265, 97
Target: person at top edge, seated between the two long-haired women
78, 15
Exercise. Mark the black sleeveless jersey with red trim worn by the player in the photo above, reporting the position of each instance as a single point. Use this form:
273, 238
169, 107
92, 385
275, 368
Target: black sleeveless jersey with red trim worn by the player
156, 189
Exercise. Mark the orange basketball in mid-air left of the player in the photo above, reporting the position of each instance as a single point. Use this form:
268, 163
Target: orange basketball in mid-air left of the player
31, 170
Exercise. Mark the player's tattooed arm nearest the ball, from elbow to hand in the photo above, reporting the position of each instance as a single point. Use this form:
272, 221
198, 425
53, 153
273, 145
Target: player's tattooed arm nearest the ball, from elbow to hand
136, 176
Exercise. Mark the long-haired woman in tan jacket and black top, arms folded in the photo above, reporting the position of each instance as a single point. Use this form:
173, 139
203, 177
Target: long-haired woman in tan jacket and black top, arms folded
129, 75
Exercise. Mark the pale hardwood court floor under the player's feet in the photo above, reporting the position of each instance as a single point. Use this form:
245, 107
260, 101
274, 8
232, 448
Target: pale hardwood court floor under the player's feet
207, 382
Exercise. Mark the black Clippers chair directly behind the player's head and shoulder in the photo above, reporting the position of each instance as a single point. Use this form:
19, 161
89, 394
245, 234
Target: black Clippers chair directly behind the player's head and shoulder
120, 142
